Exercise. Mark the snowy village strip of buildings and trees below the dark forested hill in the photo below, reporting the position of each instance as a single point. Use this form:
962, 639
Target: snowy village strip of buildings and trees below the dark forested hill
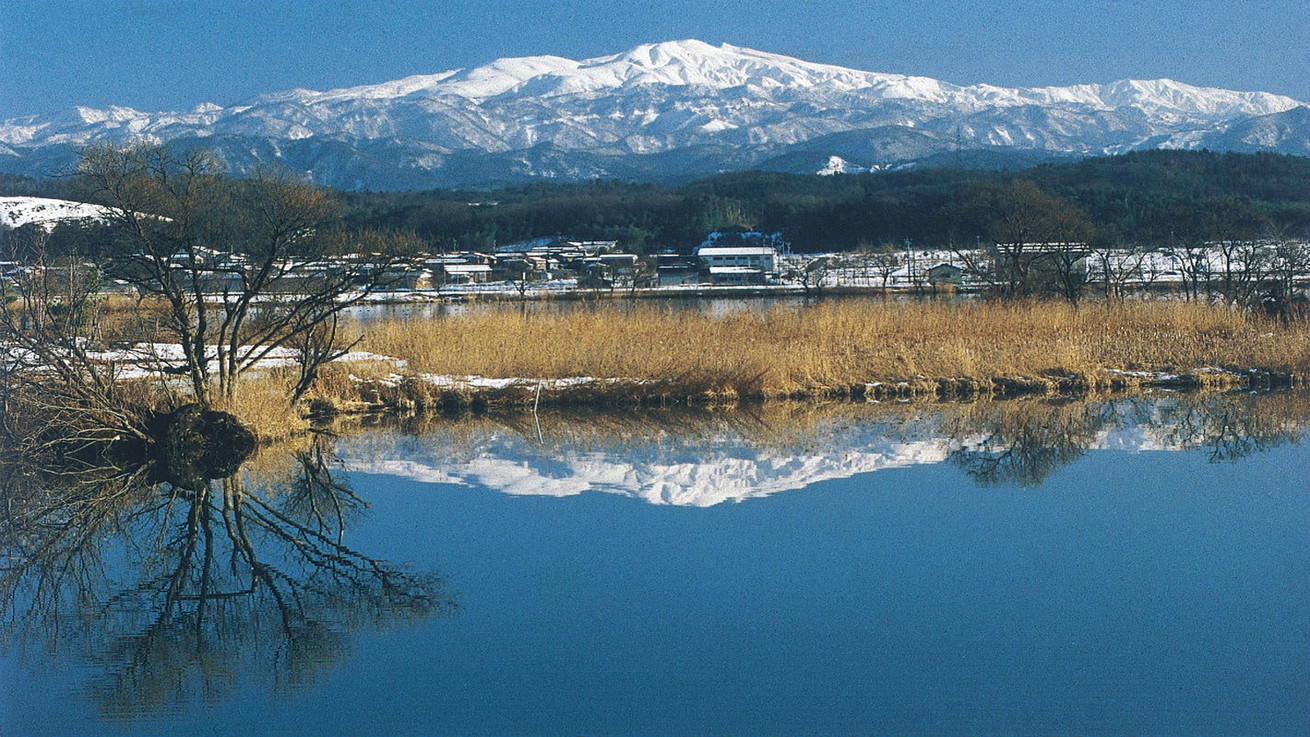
751, 261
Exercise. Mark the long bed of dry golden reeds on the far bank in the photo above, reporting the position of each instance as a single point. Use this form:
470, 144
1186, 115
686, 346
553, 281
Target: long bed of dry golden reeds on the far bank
842, 349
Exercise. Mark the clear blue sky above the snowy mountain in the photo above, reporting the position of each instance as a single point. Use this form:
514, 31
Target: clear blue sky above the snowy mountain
175, 54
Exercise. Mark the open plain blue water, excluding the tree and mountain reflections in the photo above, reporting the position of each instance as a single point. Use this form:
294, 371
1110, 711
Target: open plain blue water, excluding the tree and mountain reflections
1130, 592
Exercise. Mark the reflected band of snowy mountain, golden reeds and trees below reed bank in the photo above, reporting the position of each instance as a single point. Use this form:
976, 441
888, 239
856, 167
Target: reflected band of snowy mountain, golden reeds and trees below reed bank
709, 458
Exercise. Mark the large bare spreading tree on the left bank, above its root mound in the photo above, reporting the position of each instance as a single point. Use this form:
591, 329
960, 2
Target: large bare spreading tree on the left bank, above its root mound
243, 268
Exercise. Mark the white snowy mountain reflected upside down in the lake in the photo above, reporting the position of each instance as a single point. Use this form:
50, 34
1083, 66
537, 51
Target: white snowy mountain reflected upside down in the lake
700, 472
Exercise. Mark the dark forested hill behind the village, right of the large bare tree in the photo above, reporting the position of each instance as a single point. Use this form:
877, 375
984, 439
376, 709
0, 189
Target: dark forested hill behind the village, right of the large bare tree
1144, 198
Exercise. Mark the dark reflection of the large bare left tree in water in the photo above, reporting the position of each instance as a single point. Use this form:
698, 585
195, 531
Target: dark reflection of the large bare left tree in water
183, 595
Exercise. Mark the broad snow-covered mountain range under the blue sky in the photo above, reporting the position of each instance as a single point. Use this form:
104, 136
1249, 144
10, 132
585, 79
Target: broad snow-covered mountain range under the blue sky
666, 111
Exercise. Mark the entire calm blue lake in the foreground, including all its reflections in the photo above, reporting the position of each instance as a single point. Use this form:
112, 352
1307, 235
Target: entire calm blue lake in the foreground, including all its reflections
1026, 567
